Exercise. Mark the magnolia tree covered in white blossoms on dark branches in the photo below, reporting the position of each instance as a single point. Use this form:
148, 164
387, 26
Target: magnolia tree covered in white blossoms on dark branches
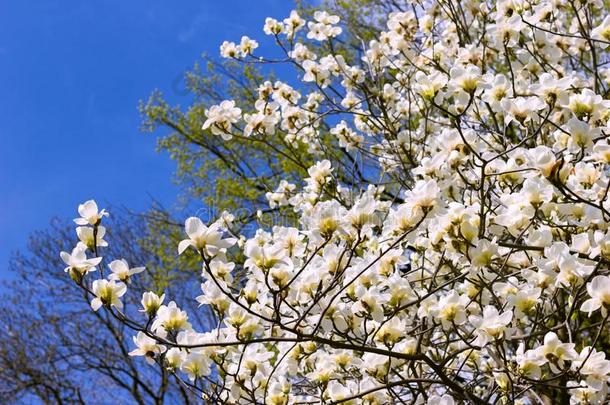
452, 239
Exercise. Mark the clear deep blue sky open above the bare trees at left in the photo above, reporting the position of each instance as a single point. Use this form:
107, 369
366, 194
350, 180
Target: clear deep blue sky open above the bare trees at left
71, 75
